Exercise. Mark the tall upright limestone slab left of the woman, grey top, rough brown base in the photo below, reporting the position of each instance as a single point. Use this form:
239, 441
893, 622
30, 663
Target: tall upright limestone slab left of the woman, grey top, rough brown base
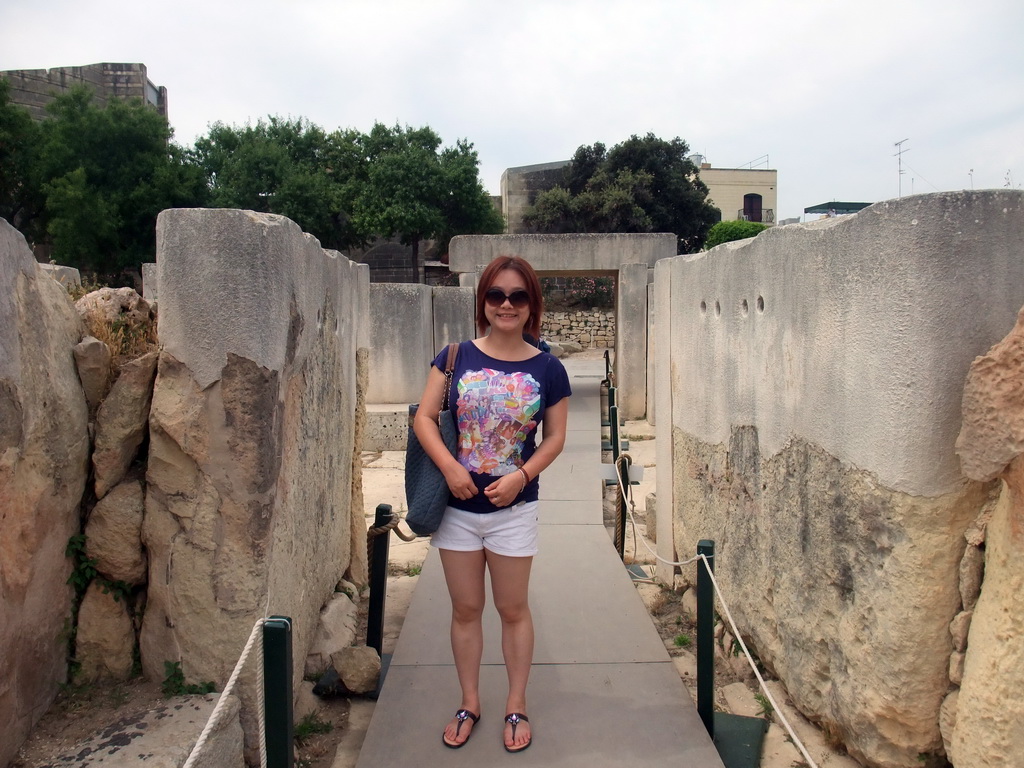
250, 474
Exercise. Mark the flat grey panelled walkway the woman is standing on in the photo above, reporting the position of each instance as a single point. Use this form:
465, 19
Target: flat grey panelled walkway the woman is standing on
604, 691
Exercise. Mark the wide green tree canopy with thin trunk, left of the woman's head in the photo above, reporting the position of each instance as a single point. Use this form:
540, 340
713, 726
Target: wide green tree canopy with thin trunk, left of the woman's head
348, 188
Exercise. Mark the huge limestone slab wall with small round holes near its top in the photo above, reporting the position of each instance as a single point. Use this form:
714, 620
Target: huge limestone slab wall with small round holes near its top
809, 388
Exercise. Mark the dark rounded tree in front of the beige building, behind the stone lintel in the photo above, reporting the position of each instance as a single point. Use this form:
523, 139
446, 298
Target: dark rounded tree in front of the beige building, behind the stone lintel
642, 186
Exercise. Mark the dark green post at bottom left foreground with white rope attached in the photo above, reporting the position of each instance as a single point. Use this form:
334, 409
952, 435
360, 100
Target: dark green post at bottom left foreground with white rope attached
278, 693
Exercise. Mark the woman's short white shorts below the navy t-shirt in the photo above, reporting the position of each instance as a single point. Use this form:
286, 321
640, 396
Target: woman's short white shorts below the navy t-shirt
509, 532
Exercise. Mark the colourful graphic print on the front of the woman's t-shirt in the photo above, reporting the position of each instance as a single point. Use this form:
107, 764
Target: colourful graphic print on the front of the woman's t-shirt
496, 414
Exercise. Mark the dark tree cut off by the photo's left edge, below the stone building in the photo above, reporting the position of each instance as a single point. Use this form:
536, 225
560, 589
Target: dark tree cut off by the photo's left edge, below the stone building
21, 199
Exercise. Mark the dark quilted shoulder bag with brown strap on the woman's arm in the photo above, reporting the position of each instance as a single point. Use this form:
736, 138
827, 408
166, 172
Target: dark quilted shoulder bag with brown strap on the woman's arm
426, 489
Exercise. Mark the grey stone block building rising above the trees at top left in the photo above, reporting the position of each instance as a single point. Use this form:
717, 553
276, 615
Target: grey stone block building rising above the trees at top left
34, 90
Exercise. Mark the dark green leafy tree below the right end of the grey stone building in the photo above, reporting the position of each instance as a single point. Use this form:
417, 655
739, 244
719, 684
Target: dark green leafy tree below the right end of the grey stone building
106, 174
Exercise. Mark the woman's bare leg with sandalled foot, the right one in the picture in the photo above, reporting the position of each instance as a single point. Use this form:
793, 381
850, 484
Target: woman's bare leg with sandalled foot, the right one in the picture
510, 585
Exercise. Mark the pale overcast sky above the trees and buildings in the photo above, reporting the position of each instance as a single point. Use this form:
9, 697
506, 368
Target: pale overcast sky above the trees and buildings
820, 92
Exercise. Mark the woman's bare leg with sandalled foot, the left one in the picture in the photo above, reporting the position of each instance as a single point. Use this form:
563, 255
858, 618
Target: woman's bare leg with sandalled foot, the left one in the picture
464, 575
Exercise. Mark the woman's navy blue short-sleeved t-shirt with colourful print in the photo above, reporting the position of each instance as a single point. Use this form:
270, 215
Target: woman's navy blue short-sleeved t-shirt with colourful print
499, 405
